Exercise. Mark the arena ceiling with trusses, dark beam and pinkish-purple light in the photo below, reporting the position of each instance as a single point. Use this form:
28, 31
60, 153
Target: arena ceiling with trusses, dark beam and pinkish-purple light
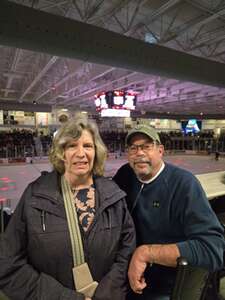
38, 65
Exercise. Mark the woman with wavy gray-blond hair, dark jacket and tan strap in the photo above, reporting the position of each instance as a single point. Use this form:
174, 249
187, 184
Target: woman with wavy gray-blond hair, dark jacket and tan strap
38, 250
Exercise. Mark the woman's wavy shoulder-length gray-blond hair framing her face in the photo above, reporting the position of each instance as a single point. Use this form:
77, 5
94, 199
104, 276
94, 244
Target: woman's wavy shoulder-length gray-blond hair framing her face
73, 130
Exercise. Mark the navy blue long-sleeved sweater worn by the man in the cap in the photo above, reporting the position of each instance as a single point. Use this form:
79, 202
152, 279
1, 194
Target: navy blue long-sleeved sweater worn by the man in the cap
173, 208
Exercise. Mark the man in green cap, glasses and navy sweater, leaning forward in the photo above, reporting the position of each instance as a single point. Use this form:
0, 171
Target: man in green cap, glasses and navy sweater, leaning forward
172, 217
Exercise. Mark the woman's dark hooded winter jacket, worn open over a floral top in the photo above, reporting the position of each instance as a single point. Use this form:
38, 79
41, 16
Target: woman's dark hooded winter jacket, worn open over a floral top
36, 254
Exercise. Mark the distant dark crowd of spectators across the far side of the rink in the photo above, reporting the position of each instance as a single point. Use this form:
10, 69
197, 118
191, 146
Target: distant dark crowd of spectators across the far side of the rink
22, 143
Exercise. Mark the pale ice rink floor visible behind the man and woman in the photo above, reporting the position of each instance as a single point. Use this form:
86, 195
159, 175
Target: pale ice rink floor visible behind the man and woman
14, 178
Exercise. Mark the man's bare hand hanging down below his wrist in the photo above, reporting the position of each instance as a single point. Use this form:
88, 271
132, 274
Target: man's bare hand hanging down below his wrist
137, 267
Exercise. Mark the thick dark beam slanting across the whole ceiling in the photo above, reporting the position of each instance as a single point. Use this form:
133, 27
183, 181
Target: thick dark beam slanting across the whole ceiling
28, 28
